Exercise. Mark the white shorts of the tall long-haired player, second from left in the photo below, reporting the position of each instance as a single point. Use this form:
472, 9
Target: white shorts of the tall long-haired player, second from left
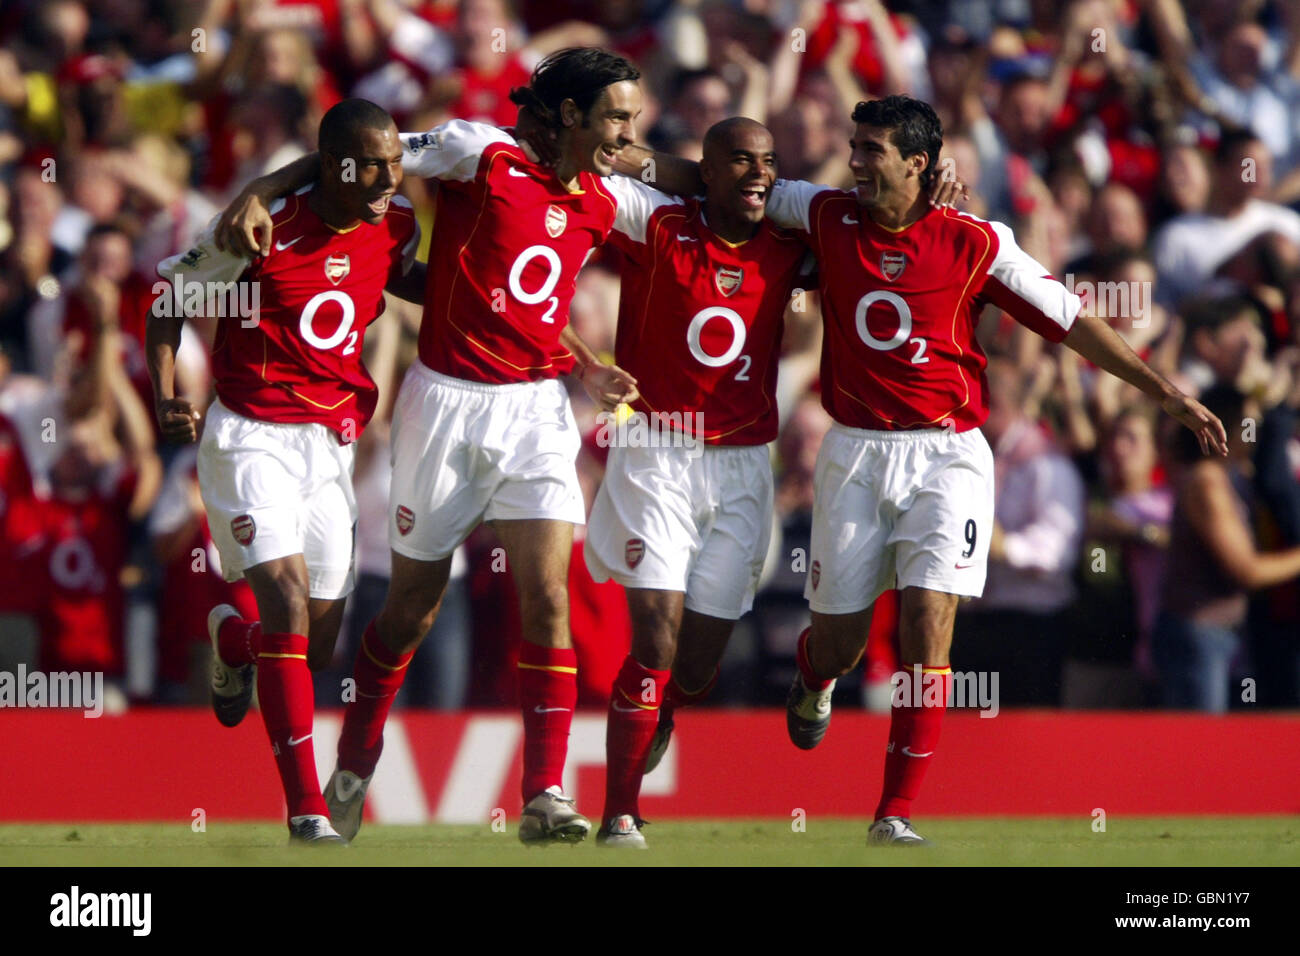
466, 453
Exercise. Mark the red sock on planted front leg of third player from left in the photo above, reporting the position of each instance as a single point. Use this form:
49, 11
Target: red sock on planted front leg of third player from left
634, 715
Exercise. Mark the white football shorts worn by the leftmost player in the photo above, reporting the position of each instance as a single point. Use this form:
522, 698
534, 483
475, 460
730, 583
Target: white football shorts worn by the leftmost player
279, 490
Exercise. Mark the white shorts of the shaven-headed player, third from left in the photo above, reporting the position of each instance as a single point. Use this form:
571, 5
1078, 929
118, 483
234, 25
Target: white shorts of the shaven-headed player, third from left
696, 521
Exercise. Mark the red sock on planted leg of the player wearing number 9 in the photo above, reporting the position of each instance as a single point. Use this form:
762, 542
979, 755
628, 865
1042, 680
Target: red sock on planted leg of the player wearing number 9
913, 739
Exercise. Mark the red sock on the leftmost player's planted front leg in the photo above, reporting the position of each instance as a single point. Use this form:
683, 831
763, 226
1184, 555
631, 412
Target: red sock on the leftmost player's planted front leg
287, 700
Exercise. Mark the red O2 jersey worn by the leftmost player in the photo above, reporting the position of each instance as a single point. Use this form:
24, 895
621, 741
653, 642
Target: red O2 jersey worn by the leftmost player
298, 360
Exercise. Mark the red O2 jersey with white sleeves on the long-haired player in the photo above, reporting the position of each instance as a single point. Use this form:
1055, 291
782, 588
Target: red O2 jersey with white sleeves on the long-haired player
509, 244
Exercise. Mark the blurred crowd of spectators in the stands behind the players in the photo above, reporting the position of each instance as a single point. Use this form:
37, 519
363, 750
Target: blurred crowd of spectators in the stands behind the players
1146, 152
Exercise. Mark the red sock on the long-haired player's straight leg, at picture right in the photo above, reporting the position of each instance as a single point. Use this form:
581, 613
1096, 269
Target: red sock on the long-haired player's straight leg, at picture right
548, 694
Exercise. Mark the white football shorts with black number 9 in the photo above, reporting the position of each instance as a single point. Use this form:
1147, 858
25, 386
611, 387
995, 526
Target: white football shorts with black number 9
899, 509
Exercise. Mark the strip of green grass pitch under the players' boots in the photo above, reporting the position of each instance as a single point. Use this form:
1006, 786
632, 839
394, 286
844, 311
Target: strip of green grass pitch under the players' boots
1017, 842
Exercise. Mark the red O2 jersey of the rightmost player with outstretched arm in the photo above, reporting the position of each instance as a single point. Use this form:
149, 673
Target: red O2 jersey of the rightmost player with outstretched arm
902, 308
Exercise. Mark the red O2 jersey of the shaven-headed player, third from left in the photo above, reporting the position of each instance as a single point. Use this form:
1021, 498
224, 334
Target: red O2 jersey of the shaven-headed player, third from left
700, 318
